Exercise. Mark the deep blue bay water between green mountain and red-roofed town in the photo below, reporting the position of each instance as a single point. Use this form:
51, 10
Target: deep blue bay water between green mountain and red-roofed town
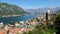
7, 20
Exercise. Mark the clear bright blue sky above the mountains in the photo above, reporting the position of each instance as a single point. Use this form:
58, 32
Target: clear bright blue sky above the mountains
28, 4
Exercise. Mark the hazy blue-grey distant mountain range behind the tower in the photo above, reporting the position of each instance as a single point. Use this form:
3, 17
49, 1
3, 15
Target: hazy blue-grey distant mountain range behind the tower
42, 10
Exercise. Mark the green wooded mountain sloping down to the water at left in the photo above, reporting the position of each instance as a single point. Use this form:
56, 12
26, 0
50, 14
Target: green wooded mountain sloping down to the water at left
9, 9
